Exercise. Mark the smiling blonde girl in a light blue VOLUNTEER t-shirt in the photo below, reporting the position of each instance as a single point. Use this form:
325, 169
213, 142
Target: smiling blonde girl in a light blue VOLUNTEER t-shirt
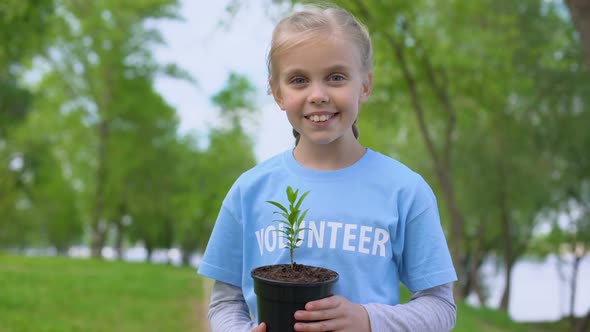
371, 219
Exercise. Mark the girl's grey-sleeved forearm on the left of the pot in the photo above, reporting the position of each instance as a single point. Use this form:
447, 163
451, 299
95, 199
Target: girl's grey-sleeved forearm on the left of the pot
228, 311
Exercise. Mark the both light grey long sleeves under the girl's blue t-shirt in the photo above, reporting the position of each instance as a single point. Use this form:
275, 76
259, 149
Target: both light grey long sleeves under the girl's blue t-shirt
430, 310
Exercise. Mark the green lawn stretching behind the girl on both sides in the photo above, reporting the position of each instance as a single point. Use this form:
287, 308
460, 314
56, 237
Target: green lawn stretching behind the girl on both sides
45, 294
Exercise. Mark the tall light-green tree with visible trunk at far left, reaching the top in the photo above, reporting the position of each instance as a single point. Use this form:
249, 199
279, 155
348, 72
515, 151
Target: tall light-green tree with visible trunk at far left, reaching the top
102, 50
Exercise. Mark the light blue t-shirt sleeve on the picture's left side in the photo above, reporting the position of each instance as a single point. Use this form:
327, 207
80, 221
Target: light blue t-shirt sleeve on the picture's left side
222, 259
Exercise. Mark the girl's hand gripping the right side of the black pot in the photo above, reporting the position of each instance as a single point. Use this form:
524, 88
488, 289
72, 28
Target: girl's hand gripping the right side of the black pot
334, 313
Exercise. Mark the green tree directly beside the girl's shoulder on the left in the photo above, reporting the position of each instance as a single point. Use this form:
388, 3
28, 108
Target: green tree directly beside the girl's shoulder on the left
228, 154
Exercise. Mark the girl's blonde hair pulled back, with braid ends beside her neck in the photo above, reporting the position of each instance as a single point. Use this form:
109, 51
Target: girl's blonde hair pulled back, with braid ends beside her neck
311, 22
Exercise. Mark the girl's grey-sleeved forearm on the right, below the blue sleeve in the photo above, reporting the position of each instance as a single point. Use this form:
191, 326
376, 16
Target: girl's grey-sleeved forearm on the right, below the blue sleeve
432, 309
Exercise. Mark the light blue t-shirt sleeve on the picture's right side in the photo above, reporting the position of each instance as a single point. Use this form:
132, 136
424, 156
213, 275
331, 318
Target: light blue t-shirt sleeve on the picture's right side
426, 261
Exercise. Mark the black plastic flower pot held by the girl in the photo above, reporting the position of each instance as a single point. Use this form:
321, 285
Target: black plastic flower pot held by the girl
277, 301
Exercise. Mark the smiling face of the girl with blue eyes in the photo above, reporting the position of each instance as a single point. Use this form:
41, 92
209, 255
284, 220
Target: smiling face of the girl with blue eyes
321, 84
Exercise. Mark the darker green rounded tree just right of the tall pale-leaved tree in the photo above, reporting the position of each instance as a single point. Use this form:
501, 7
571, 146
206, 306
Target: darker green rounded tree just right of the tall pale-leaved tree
142, 164
